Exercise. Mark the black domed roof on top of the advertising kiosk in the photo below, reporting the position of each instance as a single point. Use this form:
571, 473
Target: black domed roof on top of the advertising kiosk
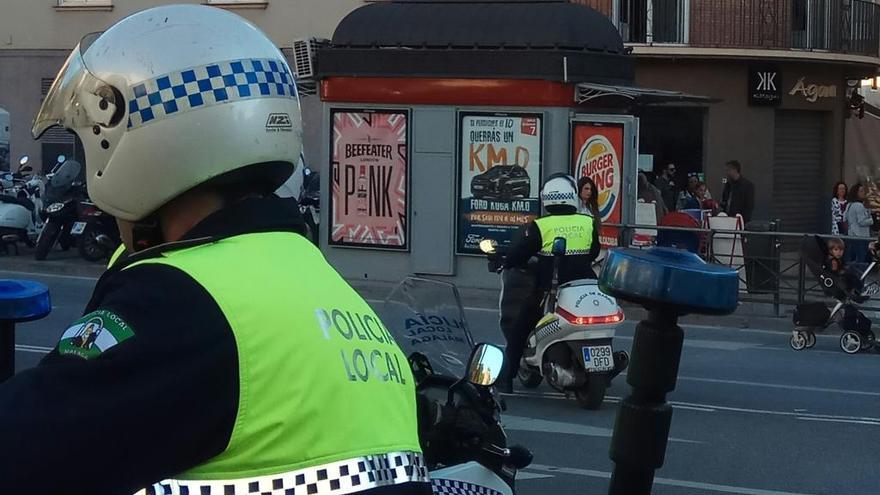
548, 40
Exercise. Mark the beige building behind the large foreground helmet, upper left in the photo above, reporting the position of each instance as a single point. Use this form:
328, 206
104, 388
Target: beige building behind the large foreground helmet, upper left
37, 36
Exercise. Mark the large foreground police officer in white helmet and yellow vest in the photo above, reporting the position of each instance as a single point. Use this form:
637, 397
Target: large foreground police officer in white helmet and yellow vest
204, 362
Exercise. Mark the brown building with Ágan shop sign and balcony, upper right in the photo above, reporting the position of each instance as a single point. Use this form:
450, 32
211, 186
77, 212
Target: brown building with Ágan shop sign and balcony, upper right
782, 72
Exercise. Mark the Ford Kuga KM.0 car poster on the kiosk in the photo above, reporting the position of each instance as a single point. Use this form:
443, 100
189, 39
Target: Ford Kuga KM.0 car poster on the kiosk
500, 177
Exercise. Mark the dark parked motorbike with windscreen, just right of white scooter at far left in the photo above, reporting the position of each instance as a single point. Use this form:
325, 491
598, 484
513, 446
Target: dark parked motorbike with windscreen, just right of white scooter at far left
63, 195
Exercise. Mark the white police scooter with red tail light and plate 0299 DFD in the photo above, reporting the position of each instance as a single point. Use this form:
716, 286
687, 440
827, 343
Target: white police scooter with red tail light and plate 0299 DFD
571, 346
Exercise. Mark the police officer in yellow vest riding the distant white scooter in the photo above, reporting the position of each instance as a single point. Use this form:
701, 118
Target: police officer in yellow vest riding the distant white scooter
559, 197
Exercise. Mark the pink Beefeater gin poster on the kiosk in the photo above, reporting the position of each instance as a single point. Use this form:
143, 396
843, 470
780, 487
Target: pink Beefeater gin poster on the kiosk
368, 205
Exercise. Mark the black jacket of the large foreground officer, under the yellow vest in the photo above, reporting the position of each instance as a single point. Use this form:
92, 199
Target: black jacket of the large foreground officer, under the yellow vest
148, 408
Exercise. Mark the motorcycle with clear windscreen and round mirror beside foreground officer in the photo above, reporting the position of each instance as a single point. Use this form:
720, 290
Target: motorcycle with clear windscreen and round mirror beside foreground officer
464, 444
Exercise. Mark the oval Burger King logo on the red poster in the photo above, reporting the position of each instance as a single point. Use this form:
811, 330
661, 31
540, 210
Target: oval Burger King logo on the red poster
598, 160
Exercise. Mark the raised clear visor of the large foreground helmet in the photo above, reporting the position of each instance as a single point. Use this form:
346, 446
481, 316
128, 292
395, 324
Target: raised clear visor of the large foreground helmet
63, 105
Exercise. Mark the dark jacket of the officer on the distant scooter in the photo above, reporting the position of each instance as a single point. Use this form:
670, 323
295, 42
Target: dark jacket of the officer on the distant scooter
572, 267
